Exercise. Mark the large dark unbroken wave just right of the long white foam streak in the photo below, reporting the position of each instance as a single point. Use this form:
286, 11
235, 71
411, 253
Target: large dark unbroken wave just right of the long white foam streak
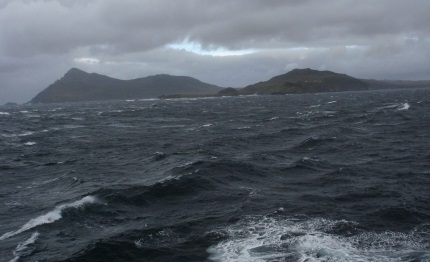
196, 178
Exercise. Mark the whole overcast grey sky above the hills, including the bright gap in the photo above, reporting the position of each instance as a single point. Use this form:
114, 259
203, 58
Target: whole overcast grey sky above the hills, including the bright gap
228, 43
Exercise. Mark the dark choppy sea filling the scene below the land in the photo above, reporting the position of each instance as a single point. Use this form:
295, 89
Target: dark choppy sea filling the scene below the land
326, 177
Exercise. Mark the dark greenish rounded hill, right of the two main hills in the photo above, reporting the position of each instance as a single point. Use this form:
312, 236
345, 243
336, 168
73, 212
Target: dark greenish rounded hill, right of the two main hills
306, 81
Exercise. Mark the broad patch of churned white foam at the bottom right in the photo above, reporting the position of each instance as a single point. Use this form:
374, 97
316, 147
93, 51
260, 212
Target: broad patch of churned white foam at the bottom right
296, 239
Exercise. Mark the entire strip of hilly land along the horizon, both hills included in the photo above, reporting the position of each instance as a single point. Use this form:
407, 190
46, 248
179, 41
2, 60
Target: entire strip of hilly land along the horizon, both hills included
77, 85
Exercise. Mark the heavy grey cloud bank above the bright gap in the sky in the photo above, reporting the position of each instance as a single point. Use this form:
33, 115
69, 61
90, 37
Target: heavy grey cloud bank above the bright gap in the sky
131, 26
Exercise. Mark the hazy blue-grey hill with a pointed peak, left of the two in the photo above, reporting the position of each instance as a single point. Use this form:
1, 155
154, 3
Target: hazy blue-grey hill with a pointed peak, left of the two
77, 85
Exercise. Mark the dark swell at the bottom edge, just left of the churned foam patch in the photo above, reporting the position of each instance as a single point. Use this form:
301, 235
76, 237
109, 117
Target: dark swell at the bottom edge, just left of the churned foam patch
154, 244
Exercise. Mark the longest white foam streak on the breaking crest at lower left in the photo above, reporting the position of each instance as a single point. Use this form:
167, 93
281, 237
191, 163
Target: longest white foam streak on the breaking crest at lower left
49, 217
